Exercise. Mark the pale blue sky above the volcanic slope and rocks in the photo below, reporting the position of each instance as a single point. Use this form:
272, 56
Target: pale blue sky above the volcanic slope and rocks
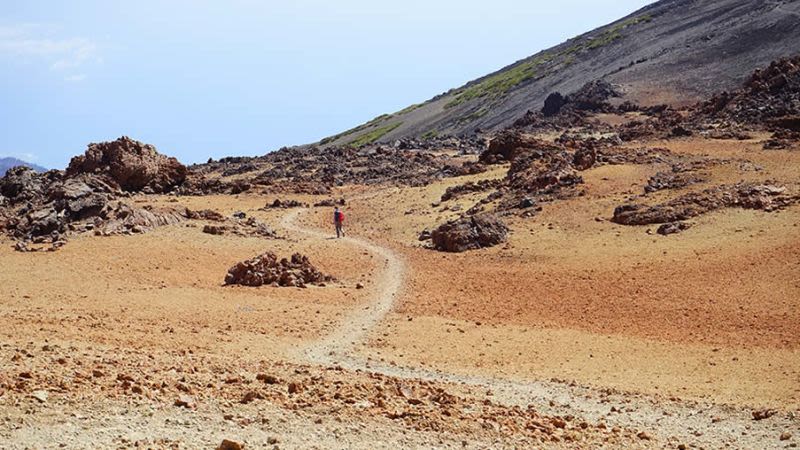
200, 78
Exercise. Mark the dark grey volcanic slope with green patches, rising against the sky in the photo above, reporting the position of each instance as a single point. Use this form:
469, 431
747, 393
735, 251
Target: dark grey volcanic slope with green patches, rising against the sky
673, 51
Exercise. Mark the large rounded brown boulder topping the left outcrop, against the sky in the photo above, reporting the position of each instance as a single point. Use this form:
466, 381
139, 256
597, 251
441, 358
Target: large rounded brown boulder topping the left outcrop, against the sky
132, 165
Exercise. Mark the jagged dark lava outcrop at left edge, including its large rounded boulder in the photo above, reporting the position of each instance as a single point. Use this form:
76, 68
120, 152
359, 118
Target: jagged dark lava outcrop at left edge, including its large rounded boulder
44, 207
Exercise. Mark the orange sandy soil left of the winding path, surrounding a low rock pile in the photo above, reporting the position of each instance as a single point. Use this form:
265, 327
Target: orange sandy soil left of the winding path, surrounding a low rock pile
164, 289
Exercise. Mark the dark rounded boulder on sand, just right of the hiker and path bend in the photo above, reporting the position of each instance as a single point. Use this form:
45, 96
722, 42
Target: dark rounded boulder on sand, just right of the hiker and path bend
469, 233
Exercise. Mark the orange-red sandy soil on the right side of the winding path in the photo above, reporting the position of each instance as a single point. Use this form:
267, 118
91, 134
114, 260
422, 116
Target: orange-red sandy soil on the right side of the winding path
711, 313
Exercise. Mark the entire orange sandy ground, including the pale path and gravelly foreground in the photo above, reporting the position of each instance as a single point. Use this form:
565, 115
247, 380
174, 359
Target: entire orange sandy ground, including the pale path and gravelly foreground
678, 337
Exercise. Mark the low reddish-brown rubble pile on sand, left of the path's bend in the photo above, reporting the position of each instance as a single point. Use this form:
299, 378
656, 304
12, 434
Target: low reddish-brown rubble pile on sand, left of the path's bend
266, 269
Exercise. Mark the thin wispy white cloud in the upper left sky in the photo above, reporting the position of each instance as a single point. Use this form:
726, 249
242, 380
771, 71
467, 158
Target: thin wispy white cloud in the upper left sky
32, 42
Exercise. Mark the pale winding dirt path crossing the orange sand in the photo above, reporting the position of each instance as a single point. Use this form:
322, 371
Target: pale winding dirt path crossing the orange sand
670, 421
